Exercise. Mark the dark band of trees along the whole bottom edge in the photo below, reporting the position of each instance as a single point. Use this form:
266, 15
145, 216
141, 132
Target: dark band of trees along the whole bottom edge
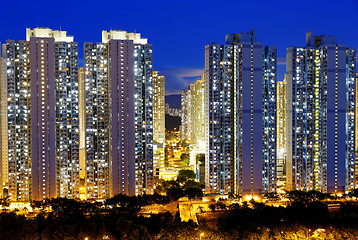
117, 218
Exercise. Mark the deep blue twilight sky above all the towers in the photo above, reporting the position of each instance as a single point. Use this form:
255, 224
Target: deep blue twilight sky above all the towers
179, 30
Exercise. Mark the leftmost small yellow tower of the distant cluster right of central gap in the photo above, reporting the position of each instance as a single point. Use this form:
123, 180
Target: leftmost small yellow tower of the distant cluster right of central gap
185, 114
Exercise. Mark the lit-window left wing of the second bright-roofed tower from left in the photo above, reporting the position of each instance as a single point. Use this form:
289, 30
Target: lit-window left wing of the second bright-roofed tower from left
97, 123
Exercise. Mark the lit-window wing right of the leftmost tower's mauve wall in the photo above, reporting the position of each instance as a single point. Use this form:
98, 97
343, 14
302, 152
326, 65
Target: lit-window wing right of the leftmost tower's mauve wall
67, 119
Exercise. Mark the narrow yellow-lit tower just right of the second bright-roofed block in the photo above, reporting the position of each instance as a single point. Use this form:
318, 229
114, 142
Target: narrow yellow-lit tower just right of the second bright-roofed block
158, 123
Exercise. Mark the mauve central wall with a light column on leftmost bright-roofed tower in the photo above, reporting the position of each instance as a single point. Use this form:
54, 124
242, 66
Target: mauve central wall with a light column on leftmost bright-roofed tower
43, 118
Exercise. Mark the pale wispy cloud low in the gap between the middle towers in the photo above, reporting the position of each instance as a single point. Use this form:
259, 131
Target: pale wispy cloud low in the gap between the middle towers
177, 78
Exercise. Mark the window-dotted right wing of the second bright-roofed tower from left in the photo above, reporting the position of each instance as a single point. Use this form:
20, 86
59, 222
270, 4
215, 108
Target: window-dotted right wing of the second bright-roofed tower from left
143, 70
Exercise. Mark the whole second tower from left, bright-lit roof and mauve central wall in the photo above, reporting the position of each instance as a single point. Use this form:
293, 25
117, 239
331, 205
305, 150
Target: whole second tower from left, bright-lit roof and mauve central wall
119, 115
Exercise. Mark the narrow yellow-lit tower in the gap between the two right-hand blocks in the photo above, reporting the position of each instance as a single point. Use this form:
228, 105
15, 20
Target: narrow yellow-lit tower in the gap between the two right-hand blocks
281, 134
